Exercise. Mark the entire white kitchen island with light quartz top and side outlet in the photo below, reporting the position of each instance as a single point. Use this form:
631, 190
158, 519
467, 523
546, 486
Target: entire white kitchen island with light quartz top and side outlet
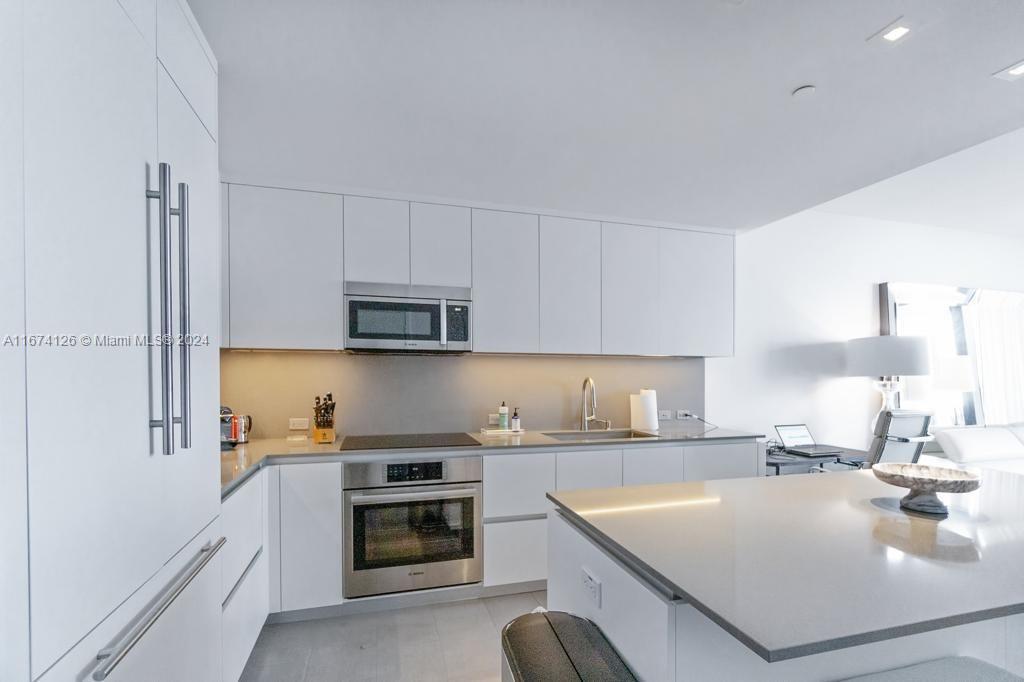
793, 578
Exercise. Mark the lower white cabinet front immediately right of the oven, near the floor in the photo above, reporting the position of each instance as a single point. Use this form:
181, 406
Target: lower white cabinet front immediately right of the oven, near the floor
516, 552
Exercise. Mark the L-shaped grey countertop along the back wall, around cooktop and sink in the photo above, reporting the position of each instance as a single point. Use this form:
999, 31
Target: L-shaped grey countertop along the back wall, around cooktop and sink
241, 462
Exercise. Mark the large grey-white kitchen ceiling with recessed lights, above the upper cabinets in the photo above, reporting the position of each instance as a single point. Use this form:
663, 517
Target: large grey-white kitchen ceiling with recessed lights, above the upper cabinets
647, 110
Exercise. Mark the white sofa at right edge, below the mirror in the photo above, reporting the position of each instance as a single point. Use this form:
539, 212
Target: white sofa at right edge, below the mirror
999, 448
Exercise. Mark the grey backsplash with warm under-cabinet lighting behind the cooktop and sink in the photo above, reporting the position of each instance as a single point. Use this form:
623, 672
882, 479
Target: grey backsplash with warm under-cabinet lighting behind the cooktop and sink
423, 394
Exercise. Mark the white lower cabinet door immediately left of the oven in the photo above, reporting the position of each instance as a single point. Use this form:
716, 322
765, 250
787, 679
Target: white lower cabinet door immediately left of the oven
311, 535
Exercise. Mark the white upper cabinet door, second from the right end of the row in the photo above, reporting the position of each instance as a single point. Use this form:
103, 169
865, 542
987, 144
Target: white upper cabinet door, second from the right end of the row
630, 290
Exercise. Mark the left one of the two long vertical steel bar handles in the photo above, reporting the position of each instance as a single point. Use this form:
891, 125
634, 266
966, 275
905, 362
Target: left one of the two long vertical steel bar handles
163, 196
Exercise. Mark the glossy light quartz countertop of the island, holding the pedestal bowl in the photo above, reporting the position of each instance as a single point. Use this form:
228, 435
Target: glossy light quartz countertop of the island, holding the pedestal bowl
796, 566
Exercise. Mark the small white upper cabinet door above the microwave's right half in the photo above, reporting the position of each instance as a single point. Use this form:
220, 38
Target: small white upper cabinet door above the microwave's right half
442, 251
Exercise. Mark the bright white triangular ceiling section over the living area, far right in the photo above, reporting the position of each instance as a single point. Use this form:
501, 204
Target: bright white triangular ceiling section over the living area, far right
978, 189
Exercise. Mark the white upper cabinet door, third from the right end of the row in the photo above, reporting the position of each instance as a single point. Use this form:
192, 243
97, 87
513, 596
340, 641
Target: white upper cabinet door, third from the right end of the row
571, 286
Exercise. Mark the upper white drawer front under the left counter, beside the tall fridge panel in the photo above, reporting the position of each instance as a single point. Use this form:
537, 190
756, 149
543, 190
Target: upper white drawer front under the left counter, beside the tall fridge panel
242, 520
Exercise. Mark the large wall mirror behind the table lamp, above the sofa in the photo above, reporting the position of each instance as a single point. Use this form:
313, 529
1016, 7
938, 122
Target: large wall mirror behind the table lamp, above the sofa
976, 339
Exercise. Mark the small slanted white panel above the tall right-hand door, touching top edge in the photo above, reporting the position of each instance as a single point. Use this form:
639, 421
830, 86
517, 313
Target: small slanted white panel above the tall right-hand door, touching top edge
188, 59
